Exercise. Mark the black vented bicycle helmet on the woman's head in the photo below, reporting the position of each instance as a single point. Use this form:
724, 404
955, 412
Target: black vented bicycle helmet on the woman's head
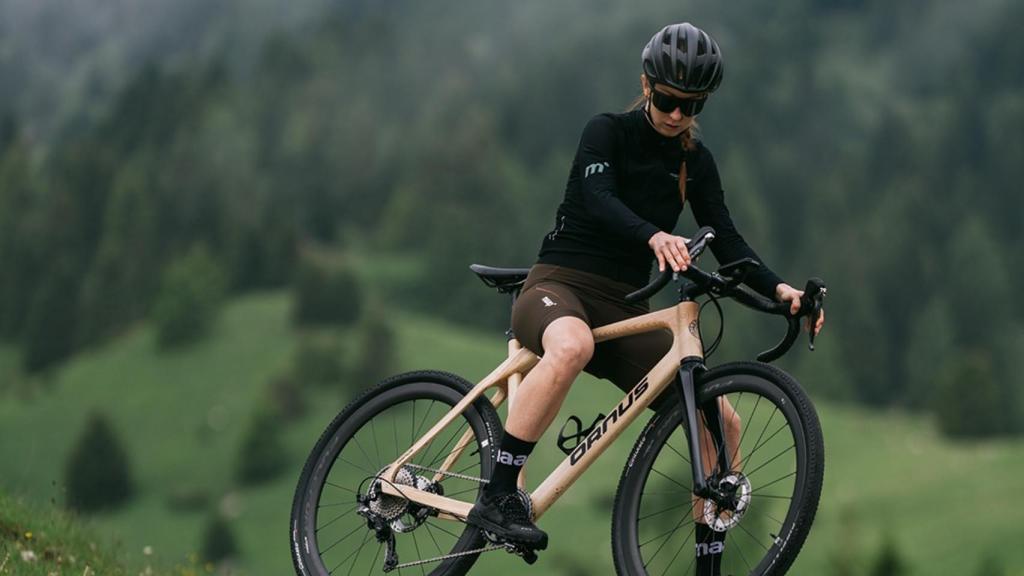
686, 58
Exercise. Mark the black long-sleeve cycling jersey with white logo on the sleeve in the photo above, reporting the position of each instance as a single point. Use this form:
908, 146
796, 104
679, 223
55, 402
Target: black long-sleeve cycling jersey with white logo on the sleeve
624, 188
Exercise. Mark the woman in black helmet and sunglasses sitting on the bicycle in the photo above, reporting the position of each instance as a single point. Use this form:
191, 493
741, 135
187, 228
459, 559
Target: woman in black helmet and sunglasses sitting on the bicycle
631, 177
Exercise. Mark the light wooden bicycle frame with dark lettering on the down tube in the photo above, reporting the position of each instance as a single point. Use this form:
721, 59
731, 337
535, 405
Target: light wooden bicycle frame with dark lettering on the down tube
681, 320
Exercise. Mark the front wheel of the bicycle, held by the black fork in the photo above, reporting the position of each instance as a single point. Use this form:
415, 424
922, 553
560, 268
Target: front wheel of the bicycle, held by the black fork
774, 439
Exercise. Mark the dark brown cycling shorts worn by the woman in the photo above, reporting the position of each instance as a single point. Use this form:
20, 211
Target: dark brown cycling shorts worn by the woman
552, 293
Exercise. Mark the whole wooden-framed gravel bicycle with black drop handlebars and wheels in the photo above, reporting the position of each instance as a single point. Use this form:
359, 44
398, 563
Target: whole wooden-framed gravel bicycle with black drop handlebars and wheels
391, 482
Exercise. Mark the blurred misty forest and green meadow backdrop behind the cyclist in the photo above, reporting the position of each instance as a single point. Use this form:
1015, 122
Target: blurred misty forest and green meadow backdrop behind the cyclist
221, 222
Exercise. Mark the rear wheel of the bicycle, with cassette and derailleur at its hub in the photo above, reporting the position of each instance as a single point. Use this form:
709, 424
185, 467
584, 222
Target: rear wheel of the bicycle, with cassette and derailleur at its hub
330, 529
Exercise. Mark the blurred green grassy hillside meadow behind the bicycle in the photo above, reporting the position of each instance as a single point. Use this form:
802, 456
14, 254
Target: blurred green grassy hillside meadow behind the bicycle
888, 476
